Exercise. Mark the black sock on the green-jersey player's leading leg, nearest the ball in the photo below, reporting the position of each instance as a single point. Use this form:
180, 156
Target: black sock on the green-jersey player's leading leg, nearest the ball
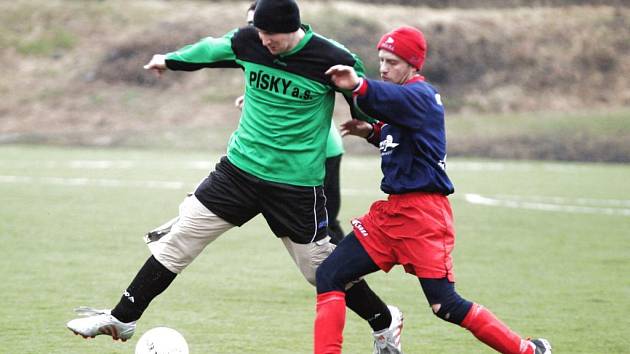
152, 279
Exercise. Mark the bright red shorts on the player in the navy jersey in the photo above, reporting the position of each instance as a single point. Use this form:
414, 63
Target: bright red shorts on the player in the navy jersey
412, 229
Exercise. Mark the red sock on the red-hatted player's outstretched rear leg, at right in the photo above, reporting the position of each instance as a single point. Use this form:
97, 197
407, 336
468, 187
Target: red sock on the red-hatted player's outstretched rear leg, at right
490, 330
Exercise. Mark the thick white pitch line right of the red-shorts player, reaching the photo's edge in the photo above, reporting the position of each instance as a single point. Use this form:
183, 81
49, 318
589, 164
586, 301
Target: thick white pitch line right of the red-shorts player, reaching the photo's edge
532, 205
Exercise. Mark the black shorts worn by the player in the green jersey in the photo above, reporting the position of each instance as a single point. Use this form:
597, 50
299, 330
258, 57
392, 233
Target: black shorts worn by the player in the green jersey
291, 211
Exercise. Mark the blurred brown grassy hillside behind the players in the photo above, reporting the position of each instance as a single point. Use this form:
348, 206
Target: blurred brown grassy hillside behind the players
73, 70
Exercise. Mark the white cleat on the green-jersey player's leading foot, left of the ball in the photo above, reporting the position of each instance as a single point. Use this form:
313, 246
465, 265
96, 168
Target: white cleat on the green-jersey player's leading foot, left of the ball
96, 322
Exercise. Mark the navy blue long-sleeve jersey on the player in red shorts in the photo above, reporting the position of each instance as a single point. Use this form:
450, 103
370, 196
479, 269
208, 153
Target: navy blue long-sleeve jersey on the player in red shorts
412, 138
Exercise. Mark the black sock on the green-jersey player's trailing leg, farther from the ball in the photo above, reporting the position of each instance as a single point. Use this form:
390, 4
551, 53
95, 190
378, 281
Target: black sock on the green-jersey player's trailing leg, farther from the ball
365, 303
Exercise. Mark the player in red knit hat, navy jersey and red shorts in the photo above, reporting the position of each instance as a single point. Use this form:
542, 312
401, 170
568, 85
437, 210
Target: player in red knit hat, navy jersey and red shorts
414, 226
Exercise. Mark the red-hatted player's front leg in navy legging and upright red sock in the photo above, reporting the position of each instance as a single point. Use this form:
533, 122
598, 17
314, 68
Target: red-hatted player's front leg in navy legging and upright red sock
347, 262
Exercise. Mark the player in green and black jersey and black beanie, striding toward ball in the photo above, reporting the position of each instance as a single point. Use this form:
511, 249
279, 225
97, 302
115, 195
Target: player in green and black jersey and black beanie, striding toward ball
274, 164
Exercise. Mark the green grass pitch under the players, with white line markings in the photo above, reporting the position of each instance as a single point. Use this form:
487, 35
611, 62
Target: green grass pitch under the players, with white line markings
546, 246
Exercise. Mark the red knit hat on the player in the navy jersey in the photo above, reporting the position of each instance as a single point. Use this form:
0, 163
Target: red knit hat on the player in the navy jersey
406, 42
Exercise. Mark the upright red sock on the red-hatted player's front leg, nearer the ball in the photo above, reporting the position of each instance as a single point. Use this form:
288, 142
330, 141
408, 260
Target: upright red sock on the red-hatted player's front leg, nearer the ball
329, 322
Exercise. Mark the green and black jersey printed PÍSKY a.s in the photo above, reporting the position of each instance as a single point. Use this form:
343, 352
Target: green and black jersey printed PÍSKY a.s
285, 123
